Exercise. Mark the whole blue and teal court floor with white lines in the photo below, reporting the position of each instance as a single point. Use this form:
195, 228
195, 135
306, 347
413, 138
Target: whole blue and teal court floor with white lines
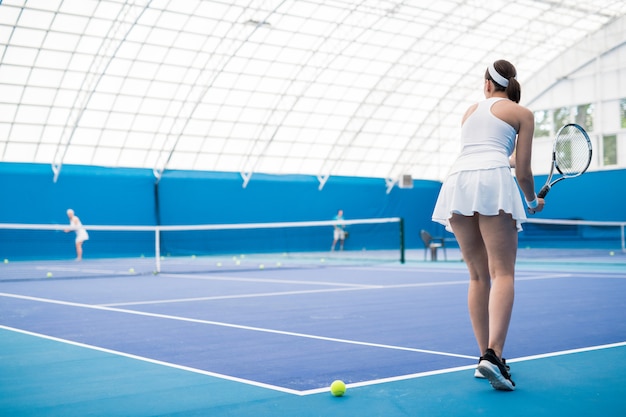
110, 339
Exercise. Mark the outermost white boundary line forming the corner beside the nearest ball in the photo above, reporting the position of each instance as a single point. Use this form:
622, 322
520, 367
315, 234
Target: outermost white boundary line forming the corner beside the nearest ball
311, 391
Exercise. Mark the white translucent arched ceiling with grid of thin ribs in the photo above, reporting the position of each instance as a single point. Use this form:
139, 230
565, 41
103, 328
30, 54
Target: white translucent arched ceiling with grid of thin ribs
319, 87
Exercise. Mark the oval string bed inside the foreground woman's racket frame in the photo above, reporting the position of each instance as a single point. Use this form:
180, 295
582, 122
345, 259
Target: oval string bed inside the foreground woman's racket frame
572, 153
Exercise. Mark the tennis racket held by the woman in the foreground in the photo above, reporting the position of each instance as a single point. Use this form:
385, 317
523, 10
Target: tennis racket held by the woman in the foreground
571, 155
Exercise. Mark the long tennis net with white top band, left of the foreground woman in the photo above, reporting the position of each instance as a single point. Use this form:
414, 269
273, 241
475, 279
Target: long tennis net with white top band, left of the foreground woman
43, 251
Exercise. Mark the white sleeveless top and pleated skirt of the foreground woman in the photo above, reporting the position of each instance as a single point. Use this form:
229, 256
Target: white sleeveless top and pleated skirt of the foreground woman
480, 180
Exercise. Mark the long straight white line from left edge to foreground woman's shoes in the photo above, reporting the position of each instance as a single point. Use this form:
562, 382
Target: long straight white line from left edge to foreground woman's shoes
235, 326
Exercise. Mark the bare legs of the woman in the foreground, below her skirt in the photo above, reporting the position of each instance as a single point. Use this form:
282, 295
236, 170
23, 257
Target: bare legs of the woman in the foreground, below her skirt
489, 247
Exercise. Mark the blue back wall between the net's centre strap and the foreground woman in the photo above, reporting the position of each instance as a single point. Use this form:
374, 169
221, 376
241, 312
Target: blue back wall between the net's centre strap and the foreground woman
220, 198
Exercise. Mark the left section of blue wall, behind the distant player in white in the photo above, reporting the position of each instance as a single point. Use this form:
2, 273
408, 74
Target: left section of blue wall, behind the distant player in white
99, 196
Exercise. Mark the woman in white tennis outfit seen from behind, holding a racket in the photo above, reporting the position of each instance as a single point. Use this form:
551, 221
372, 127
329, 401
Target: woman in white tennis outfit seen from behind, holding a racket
481, 204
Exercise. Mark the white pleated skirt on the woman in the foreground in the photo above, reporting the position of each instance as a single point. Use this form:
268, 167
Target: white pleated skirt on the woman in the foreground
484, 191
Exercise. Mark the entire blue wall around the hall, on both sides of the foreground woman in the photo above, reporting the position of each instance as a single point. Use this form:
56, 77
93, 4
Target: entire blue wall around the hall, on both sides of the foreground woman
118, 196
